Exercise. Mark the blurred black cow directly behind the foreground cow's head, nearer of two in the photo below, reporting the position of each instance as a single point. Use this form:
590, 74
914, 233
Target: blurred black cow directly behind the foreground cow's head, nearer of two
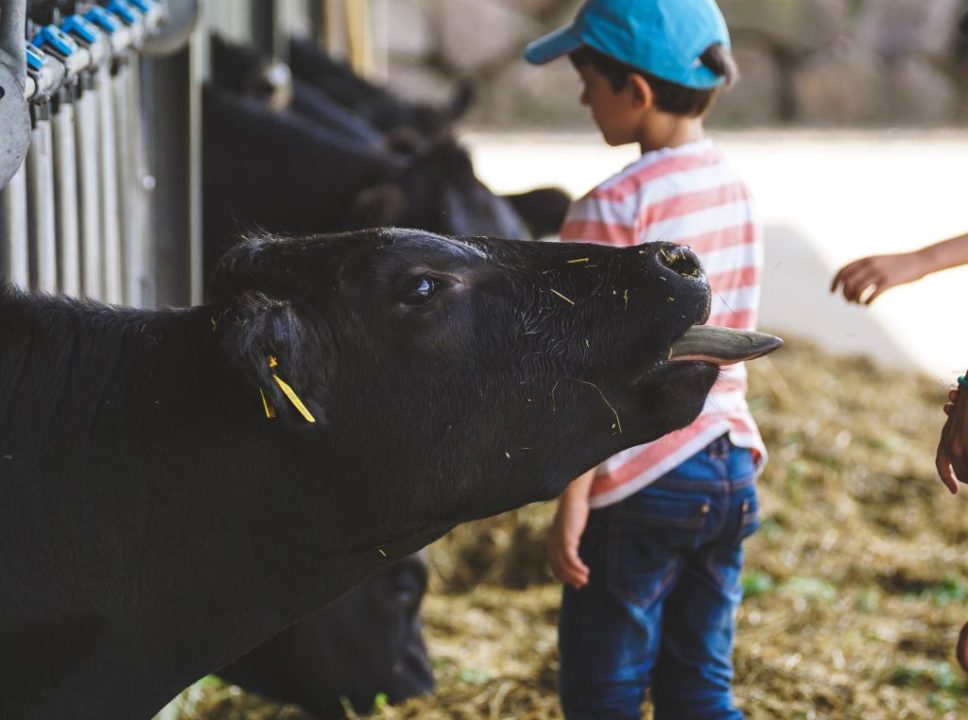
281, 172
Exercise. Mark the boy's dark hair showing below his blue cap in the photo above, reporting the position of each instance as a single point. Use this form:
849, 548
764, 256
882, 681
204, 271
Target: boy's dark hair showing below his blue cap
670, 97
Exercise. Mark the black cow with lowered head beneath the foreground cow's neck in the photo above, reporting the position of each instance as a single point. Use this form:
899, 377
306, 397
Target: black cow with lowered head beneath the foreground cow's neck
367, 643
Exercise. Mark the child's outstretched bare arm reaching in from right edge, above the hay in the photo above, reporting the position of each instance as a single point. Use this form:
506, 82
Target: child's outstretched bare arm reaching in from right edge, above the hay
863, 280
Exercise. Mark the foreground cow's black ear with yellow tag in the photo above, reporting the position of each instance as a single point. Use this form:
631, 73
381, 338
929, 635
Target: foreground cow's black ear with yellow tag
284, 357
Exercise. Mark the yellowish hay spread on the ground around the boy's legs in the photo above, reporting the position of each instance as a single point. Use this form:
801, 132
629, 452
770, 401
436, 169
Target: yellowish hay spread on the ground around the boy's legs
857, 583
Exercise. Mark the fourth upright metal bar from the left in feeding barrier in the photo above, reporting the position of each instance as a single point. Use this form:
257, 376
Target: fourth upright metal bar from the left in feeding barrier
88, 177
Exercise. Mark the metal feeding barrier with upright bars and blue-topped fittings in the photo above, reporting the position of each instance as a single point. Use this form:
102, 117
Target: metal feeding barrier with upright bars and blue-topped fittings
74, 208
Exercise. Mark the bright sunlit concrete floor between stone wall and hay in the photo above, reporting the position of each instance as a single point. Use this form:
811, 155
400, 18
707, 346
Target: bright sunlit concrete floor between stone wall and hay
825, 198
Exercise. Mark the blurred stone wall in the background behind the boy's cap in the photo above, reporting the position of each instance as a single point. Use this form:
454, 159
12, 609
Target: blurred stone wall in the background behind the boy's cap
804, 62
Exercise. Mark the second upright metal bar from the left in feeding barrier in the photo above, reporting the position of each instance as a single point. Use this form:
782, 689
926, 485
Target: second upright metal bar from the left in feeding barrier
41, 226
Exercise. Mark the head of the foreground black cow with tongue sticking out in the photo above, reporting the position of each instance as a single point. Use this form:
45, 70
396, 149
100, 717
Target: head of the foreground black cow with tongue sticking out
456, 378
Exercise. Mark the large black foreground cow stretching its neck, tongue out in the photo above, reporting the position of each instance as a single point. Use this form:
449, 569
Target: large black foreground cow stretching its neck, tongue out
178, 486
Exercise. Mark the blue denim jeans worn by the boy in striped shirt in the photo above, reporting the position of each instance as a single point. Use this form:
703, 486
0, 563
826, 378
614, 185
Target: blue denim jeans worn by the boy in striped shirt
660, 607
